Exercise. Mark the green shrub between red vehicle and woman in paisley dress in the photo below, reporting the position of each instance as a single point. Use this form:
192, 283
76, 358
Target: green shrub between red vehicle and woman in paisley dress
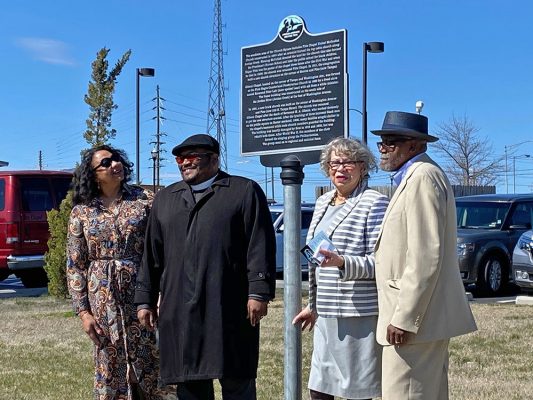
56, 258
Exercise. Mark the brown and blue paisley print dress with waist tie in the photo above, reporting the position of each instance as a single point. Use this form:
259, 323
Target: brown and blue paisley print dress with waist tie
104, 251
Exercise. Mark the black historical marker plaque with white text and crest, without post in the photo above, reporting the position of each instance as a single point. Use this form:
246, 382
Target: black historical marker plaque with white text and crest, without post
294, 91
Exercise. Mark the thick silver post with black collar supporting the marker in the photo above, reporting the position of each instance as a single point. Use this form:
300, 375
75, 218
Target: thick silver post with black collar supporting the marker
292, 178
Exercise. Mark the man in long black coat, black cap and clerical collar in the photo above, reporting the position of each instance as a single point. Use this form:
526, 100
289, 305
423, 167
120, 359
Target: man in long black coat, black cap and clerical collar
210, 255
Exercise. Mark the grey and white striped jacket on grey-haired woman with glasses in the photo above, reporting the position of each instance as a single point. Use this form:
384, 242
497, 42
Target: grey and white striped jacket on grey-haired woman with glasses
355, 228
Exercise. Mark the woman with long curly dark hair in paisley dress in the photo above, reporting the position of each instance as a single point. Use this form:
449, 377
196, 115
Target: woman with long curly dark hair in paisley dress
104, 250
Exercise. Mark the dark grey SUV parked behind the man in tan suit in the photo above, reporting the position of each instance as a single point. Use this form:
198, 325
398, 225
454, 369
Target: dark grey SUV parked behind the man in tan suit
489, 227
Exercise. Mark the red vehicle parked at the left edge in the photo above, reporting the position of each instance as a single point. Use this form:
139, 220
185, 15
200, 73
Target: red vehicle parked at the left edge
25, 196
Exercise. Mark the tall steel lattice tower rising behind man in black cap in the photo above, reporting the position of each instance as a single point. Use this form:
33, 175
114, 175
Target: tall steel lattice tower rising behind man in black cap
216, 109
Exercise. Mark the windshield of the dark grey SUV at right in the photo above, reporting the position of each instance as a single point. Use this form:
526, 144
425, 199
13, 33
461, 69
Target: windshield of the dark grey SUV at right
481, 215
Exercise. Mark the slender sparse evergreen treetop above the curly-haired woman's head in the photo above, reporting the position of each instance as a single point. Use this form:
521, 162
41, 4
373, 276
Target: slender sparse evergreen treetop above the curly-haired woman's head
99, 97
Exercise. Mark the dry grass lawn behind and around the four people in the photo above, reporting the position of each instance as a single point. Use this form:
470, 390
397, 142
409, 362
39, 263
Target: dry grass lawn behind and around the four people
45, 355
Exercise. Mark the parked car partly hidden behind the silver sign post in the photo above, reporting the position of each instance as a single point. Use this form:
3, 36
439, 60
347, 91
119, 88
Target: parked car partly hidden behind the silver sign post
277, 213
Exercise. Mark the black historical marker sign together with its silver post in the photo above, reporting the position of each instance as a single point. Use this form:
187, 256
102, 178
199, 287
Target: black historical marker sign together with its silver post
294, 100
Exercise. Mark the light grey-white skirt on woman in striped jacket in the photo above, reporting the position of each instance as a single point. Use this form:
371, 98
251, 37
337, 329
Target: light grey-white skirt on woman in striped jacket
346, 359
